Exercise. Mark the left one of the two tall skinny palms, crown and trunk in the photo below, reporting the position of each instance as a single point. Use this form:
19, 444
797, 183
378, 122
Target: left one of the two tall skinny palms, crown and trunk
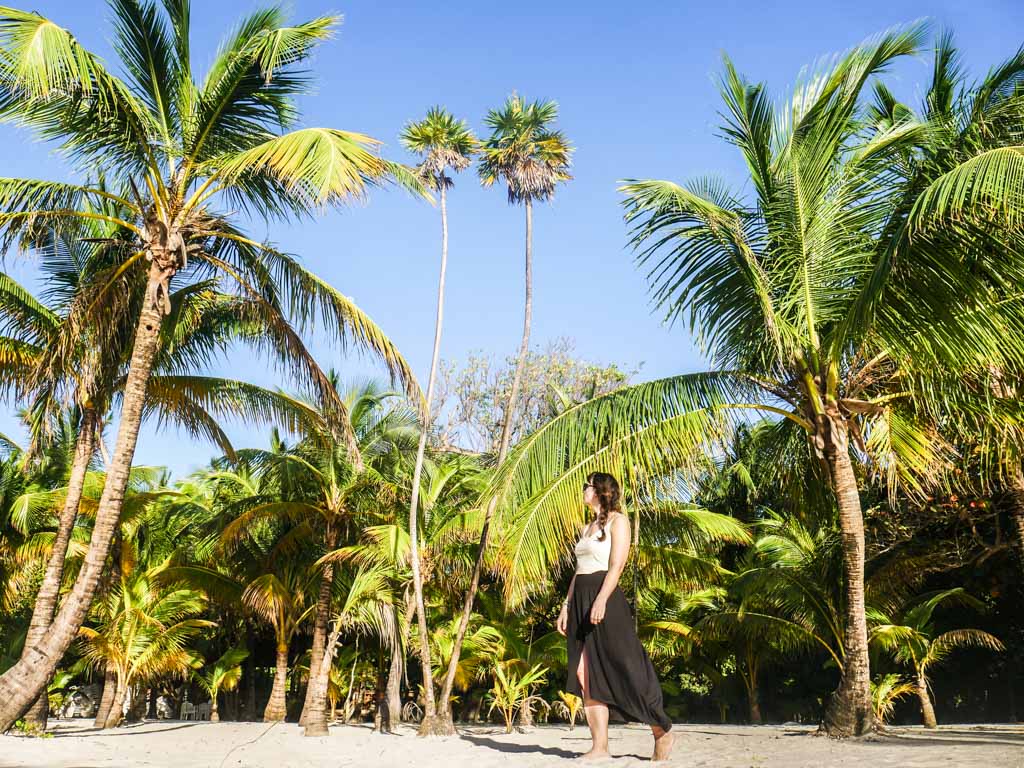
447, 145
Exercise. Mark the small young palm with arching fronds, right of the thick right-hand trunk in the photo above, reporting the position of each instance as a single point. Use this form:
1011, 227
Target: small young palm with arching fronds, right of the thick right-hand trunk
912, 639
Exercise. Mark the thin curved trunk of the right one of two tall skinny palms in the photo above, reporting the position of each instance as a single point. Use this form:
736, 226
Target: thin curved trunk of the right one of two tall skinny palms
475, 584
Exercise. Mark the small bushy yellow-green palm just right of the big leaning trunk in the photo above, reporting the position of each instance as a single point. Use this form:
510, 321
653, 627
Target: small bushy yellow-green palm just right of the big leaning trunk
143, 630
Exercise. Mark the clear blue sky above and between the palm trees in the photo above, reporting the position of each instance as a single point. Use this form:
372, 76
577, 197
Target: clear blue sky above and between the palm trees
636, 88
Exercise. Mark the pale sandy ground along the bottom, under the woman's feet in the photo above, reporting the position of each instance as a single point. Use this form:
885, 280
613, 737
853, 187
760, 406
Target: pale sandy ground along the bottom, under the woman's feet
181, 745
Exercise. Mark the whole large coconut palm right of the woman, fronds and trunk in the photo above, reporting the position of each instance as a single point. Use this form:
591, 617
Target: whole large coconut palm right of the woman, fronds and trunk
801, 300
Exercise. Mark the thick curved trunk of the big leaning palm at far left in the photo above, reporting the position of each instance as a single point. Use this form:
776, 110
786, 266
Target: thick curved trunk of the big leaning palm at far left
27, 679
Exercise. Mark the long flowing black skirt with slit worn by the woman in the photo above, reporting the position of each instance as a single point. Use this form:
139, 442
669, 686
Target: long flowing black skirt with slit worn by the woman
619, 672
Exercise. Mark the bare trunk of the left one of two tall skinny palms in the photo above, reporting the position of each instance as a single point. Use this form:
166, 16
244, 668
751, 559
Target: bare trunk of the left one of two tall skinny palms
431, 724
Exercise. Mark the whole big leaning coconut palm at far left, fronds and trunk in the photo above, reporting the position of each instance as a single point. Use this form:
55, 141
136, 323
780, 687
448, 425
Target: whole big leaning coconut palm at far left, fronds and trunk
183, 148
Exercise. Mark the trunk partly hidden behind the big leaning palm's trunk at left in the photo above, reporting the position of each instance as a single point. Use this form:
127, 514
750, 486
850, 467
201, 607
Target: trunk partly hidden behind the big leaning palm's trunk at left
47, 601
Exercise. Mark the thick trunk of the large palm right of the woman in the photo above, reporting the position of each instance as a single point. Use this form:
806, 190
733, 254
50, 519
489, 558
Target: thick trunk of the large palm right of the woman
849, 712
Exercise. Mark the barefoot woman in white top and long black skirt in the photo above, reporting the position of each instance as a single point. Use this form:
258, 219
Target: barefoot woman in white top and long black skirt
609, 667
